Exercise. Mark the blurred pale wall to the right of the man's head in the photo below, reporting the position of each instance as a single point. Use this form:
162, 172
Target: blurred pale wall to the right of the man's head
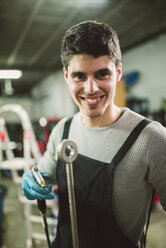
150, 60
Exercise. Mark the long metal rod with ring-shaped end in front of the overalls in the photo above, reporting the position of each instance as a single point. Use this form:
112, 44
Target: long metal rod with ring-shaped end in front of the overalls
67, 152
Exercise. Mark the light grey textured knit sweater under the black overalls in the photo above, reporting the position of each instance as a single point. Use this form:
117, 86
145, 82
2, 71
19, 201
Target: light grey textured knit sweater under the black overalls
142, 168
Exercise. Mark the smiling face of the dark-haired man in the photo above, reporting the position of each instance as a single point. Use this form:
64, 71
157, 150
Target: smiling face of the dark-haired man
92, 84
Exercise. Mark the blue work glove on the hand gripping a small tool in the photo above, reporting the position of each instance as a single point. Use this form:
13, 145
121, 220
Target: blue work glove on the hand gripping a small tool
31, 188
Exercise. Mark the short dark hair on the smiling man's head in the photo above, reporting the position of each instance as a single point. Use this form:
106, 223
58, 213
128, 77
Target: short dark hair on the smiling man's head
93, 38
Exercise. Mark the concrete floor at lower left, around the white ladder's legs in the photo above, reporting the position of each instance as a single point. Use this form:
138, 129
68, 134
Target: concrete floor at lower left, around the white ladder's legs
14, 235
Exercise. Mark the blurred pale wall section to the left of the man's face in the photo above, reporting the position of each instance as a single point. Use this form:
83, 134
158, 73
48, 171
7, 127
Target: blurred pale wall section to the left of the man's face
52, 99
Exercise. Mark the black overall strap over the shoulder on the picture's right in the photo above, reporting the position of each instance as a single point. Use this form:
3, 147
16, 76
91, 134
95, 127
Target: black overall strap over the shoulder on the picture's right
129, 142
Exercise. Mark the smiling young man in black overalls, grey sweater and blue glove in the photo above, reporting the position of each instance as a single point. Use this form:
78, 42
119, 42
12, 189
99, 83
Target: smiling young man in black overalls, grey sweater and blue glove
113, 184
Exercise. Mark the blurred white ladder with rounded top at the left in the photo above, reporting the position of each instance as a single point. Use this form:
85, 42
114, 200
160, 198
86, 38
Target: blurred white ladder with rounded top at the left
31, 154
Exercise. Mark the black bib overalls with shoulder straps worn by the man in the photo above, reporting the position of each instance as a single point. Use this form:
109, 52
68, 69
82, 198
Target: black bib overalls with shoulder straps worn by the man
97, 227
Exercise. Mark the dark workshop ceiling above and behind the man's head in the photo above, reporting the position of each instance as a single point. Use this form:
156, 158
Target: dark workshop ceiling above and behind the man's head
31, 31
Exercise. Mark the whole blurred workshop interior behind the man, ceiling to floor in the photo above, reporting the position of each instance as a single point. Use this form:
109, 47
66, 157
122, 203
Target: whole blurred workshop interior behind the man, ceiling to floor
30, 106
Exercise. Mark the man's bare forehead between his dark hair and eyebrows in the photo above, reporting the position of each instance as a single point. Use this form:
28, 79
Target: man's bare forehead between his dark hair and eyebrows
87, 63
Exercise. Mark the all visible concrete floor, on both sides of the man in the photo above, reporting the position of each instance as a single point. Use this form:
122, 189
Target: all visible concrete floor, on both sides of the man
14, 236
